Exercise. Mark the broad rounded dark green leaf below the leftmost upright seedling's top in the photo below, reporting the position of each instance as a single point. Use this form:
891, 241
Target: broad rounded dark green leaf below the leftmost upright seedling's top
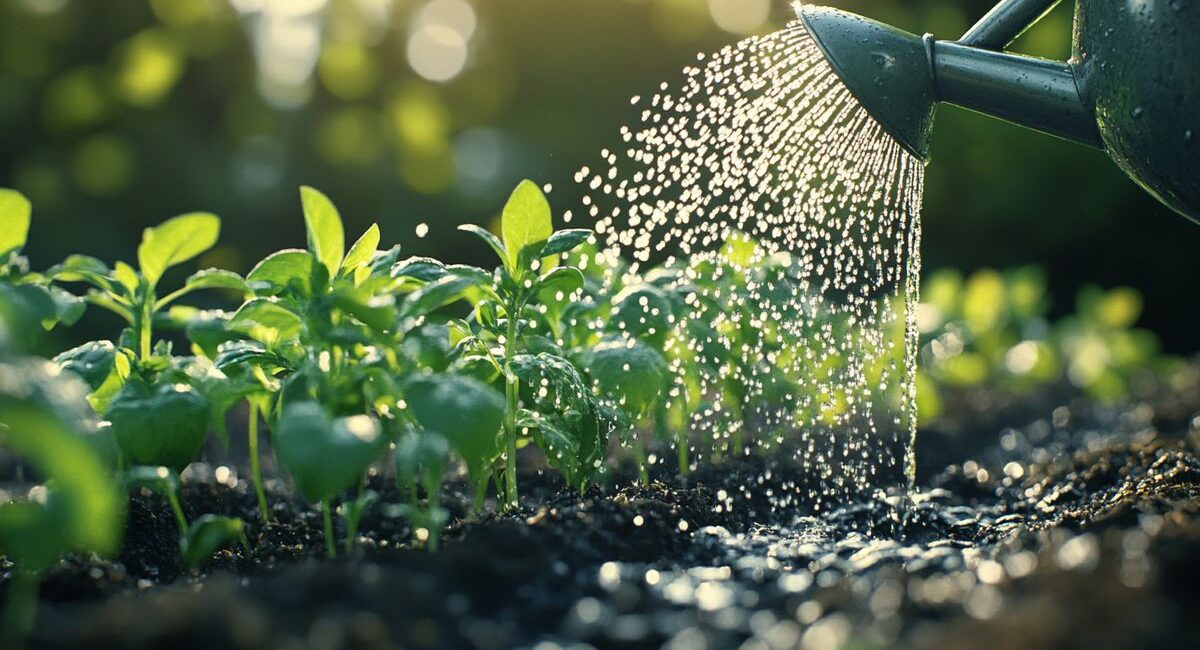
159, 425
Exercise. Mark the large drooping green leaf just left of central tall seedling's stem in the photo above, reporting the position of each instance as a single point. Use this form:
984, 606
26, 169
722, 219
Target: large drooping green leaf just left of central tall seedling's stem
467, 412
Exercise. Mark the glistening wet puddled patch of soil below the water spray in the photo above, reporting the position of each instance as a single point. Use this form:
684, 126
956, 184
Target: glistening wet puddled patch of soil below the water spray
977, 547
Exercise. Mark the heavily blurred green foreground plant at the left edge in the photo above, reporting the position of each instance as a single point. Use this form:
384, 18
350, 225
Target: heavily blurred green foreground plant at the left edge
44, 423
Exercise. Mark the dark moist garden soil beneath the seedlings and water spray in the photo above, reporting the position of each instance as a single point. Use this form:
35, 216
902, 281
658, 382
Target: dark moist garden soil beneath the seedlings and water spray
1070, 526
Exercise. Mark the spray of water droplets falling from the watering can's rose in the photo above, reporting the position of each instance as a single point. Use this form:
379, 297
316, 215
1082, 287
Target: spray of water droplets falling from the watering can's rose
785, 225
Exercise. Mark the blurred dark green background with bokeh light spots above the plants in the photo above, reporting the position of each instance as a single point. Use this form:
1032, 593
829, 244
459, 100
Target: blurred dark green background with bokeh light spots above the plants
117, 115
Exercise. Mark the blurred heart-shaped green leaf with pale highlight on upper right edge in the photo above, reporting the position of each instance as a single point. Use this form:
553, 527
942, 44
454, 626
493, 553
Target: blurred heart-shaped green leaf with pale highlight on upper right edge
325, 455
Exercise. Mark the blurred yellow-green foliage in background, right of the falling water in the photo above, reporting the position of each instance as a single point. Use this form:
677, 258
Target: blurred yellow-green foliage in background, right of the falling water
991, 330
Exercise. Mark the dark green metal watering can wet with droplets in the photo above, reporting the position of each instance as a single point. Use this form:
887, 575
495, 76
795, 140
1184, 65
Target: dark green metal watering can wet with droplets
1131, 88
